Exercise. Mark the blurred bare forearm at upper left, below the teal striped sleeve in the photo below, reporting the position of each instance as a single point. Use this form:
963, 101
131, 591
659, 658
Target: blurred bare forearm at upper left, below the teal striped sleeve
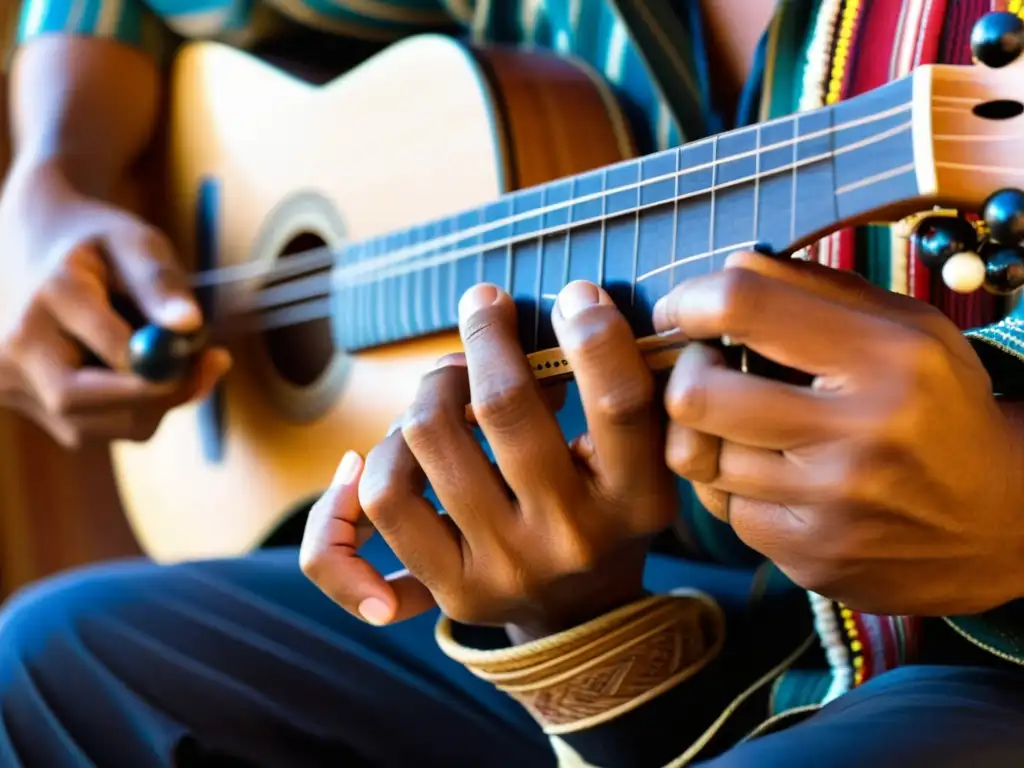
87, 106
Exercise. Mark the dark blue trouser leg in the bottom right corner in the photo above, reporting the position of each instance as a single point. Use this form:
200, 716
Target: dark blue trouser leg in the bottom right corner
934, 717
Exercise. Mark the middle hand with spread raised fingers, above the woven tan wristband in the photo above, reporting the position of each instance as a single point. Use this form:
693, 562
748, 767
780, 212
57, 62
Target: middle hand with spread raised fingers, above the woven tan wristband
552, 536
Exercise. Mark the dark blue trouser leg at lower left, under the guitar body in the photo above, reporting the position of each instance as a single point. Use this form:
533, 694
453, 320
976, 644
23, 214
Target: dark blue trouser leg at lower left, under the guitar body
135, 665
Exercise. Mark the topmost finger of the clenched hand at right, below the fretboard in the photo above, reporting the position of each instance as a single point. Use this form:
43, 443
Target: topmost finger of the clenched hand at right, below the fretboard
787, 324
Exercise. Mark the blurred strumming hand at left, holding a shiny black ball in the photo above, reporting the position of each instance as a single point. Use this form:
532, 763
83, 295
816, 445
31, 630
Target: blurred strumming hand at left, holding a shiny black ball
63, 254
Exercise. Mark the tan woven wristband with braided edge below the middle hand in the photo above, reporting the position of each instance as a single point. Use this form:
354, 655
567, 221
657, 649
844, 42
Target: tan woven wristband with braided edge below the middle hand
595, 672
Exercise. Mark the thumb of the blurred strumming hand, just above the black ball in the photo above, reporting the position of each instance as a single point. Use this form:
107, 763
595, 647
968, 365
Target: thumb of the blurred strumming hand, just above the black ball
145, 260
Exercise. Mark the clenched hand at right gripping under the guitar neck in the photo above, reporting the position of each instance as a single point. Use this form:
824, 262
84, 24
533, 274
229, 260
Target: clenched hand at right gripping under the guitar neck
895, 484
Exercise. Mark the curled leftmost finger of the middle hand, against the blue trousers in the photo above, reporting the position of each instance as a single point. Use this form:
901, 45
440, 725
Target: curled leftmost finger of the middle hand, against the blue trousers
329, 557
